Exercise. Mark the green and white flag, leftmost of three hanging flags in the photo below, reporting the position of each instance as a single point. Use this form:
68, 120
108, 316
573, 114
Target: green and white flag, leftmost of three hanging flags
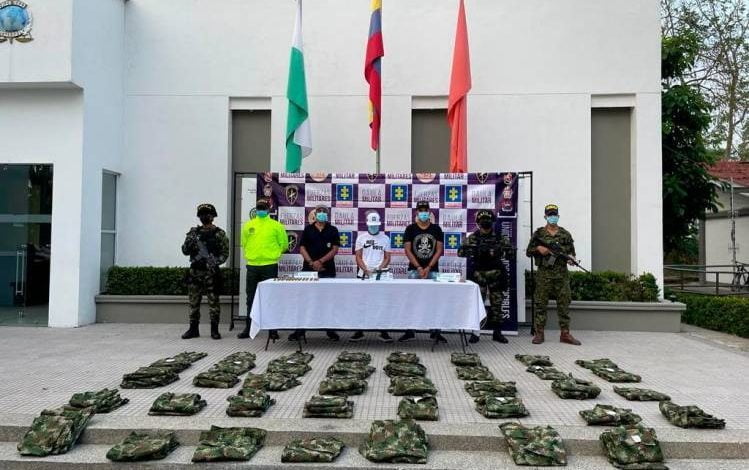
298, 131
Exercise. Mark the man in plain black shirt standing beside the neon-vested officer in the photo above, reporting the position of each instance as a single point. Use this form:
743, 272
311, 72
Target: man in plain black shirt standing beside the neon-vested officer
318, 246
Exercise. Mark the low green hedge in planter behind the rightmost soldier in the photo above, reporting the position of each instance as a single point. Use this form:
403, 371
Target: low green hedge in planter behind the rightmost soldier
608, 286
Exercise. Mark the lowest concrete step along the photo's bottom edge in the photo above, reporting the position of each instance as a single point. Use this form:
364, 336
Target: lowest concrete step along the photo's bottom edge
92, 457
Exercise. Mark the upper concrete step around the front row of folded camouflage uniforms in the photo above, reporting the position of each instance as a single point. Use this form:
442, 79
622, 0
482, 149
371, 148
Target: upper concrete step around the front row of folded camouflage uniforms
474, 437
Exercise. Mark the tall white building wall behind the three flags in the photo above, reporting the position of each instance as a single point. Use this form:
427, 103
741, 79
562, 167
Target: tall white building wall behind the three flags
535, 66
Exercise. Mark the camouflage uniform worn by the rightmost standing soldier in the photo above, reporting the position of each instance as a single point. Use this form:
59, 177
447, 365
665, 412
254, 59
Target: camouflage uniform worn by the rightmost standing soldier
552, 277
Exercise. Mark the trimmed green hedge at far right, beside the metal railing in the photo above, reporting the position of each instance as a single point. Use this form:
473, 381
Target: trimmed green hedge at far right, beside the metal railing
729, 314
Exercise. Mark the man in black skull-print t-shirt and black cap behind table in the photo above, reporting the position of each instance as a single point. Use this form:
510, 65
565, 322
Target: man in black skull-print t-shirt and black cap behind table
423, 247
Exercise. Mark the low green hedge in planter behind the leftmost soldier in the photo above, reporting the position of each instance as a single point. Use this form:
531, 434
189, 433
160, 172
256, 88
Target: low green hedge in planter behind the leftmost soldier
158, 281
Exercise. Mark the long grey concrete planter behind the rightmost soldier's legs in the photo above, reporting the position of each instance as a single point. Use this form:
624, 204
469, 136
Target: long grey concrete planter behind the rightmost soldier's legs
619, 316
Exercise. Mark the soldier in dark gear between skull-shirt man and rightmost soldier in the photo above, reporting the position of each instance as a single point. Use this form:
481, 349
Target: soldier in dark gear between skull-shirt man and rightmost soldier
485, 249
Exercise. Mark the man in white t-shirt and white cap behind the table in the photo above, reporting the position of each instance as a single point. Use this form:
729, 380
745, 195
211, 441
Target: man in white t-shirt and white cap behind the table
372, 254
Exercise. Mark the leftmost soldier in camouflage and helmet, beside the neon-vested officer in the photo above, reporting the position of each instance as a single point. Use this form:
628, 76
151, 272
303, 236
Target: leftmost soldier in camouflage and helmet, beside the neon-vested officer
208, 248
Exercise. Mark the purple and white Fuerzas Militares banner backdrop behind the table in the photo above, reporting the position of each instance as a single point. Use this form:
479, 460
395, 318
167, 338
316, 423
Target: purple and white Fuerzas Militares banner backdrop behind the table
455, 198
